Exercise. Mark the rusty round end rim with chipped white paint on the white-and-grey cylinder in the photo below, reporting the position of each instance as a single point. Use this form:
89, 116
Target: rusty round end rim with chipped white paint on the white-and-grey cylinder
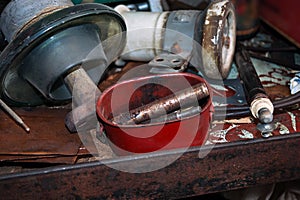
219, 38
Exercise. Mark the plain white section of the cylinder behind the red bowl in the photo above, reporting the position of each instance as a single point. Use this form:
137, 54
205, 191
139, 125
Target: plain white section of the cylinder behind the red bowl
145, 34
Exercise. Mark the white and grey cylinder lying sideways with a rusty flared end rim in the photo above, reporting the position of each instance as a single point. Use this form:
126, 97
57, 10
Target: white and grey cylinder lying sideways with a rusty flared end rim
206, 37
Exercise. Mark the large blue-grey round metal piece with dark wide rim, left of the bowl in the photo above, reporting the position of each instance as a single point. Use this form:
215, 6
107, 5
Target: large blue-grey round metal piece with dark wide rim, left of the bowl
48, 41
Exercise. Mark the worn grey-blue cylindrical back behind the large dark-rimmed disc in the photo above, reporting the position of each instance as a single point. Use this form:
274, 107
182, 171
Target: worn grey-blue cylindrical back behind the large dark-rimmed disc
19, 14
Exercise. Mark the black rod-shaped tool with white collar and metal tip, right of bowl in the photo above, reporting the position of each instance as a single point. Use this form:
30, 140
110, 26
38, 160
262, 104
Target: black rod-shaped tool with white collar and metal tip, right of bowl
260, 105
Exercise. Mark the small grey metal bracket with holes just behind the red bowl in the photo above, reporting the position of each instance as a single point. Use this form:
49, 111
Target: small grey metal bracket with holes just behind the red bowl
167, 63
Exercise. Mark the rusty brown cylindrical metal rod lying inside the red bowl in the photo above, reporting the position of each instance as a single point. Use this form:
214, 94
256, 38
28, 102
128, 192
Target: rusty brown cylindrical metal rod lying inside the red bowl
160, 107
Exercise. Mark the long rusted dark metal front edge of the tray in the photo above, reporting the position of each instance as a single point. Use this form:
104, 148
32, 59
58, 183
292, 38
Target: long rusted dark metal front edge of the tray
226, 167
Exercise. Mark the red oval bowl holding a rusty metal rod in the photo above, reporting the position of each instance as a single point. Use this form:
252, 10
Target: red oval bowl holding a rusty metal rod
145, 138
